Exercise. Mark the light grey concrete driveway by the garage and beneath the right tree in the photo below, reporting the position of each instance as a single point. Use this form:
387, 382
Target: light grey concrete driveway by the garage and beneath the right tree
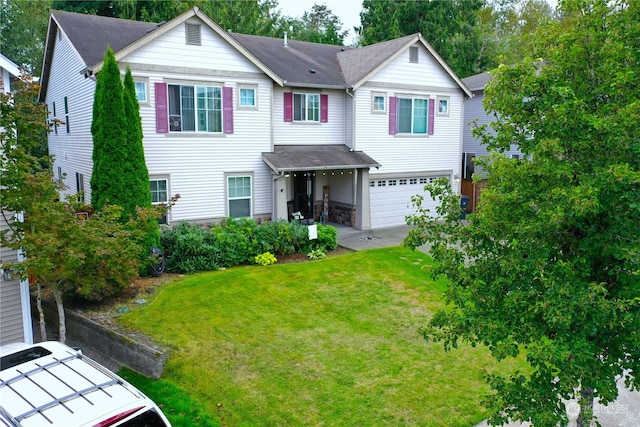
624, 412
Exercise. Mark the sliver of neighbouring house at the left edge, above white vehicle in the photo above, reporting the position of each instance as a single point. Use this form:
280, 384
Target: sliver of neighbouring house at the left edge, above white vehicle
15, 306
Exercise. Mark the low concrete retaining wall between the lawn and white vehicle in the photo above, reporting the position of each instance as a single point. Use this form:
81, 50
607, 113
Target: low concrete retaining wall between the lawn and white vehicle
117, 348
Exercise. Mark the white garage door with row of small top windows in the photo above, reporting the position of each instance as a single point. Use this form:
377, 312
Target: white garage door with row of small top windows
391, 199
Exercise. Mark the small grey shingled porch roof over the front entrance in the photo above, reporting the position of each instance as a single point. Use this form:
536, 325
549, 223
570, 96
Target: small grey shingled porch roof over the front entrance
289, 158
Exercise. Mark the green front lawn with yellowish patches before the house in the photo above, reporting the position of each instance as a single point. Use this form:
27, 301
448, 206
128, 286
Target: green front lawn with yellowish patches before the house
332, 342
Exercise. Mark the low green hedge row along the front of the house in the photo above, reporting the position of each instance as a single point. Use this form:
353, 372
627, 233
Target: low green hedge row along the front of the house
189, 248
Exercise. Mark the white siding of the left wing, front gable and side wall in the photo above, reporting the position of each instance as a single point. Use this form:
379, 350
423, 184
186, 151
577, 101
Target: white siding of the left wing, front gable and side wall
195, 163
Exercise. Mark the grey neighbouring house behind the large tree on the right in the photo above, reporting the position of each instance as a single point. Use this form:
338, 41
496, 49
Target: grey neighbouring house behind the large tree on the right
475, 115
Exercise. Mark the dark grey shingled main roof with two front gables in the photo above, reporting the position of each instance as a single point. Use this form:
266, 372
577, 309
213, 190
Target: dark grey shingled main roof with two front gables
291, 63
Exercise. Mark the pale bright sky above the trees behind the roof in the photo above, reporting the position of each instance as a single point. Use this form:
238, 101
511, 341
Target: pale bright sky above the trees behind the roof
347, 10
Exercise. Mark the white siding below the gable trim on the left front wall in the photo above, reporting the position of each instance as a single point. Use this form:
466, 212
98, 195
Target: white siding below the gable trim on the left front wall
197, 162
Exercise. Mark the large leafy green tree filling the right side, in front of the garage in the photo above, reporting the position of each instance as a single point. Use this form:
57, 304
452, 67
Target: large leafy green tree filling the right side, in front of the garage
549, 262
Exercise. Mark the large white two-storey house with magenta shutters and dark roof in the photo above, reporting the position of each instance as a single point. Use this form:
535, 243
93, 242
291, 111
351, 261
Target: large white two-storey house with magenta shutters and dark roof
248, 126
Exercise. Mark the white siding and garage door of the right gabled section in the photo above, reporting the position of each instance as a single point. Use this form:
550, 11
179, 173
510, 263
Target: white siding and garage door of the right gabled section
404, 156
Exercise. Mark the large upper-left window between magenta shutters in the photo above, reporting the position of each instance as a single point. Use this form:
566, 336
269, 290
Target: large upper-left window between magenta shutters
195, 108
